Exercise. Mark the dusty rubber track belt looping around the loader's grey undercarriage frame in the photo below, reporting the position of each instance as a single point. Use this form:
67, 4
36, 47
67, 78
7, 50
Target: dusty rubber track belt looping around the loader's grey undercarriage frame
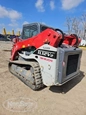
34, 70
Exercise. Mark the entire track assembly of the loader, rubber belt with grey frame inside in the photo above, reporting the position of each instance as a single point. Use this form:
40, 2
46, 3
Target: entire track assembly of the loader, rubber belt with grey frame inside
28, 72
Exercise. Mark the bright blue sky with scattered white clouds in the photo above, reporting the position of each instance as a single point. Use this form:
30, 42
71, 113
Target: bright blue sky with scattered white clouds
15, 13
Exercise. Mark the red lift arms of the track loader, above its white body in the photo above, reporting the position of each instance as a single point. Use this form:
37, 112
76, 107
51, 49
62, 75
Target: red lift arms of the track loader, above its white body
48, 36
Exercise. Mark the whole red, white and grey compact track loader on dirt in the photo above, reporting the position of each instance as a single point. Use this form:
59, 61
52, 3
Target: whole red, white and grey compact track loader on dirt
45, 56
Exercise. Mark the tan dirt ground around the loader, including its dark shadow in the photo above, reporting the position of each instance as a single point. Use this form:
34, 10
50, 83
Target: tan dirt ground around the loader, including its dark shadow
69, 99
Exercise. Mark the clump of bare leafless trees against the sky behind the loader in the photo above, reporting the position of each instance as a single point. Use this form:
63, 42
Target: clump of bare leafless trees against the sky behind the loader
77, 26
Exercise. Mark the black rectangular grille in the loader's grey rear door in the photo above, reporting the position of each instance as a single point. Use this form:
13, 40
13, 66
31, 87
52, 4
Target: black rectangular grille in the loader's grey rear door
72, 64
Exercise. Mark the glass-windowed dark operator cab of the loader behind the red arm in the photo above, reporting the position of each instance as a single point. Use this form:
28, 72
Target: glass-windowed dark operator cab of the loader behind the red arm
30, 30
